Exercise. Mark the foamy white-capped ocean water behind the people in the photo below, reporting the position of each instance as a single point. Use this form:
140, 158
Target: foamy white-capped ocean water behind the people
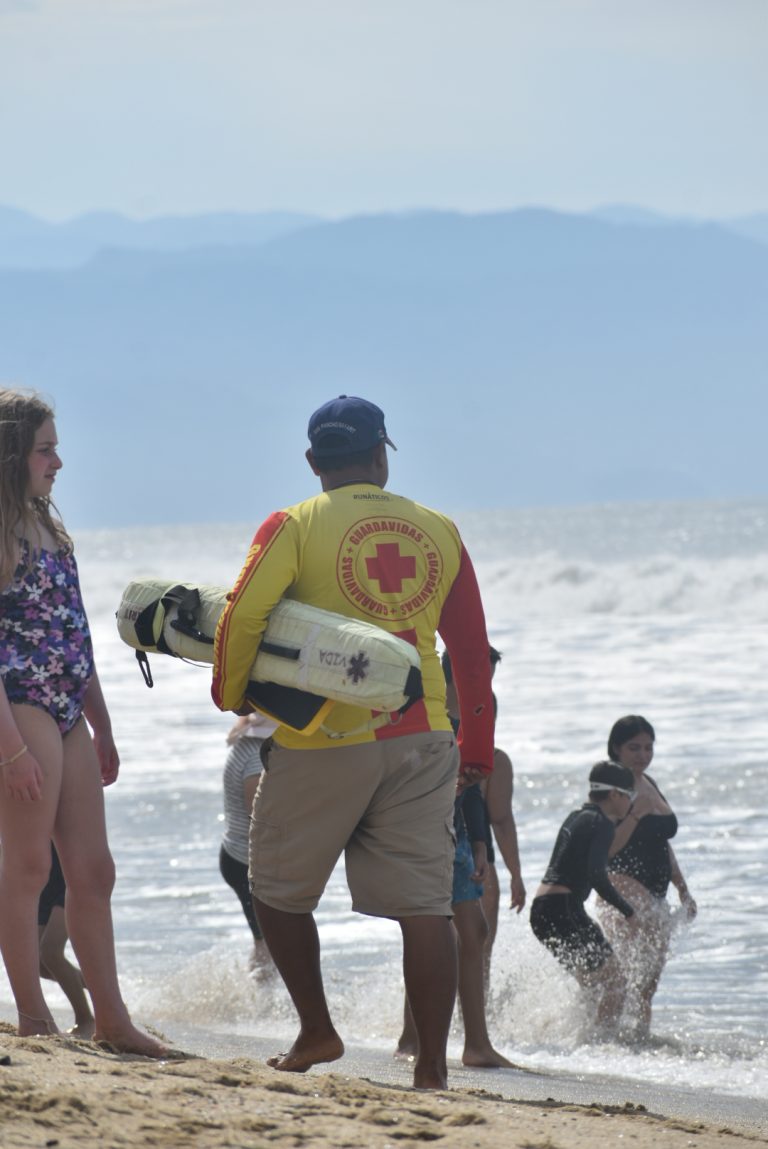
658, 610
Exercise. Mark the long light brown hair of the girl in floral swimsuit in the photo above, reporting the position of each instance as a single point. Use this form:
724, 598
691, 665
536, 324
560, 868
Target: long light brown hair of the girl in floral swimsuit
22, 414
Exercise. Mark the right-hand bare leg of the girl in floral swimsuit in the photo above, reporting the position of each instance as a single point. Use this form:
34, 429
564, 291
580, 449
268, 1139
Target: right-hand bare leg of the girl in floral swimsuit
81, 839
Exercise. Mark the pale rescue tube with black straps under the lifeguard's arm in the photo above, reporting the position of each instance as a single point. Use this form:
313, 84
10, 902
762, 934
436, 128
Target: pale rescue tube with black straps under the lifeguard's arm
310, 651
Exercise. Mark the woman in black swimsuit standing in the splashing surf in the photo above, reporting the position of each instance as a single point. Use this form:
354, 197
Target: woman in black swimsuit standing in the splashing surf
642, 866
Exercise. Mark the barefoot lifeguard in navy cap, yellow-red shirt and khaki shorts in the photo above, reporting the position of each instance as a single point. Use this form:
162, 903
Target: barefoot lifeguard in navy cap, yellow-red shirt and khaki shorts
378, 789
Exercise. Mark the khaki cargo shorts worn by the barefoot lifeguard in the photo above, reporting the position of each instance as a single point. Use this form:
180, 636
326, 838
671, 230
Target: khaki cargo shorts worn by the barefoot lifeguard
387, 806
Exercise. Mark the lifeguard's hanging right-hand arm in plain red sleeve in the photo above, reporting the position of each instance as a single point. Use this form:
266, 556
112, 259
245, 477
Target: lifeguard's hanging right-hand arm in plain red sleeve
463, 629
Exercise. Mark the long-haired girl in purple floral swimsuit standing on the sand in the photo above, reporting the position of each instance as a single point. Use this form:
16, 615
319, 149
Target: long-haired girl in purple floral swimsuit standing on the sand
53, 768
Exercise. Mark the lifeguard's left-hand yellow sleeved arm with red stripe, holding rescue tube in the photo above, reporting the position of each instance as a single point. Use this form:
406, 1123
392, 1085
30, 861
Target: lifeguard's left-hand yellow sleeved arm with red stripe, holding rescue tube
270, 570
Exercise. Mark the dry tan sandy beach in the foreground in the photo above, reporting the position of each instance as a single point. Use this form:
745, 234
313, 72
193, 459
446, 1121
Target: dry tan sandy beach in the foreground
67, 1093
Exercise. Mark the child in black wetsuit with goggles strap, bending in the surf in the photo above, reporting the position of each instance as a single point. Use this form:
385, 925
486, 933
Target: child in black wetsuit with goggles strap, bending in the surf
580, 865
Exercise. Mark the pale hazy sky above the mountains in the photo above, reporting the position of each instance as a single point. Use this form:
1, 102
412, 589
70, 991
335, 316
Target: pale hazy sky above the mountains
343, 106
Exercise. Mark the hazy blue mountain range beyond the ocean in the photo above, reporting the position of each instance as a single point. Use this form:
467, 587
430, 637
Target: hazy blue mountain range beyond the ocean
523, 358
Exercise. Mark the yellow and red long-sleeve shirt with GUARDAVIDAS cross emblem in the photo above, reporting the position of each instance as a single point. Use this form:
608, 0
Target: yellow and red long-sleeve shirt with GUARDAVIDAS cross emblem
363, 552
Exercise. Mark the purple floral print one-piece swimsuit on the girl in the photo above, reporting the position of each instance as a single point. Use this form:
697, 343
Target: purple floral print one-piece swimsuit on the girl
47, 654
